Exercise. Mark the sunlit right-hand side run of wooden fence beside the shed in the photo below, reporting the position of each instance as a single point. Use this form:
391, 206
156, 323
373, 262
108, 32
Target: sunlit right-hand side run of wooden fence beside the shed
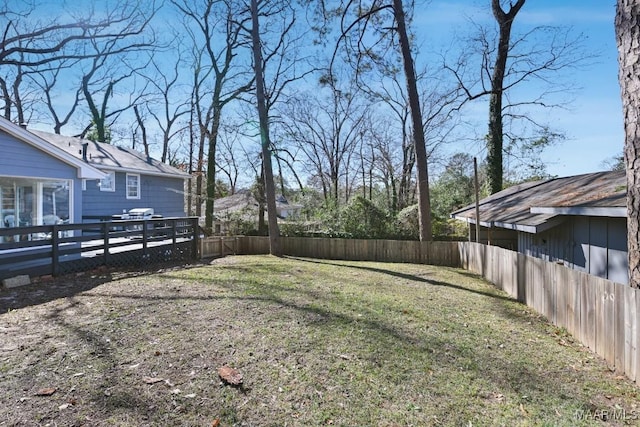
602, 314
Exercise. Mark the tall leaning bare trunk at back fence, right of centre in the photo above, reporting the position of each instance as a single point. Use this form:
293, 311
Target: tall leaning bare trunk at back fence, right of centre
424, 204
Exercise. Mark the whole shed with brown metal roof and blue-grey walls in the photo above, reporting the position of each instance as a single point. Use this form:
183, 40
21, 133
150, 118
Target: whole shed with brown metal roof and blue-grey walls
579, 221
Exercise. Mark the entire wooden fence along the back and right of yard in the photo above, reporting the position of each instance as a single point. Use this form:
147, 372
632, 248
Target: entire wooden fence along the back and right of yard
601, 314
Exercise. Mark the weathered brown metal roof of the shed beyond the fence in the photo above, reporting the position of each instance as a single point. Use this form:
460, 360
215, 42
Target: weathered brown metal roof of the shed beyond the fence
536, 206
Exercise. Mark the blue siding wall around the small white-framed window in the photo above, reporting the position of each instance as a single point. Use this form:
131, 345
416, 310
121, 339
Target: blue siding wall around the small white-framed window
164, 194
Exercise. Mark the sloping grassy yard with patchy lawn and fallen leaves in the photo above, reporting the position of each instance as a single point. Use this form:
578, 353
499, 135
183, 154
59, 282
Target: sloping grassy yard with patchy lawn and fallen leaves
317, 342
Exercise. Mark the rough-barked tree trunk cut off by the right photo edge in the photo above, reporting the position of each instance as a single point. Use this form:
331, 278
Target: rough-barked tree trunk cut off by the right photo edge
627, 35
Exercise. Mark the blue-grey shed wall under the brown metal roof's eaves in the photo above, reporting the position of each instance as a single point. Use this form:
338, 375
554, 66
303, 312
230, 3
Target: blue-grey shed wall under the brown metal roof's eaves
595, 245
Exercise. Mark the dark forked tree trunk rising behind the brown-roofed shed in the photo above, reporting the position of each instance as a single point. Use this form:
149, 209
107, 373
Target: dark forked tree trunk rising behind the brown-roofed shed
495, 135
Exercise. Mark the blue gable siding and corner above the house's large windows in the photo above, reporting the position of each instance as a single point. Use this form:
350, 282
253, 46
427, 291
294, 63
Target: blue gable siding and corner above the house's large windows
20, 159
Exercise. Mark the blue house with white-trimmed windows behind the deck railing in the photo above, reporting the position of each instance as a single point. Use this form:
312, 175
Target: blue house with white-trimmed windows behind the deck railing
47, 179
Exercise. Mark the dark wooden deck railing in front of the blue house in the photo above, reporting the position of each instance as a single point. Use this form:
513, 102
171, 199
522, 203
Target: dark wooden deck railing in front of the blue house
68, 248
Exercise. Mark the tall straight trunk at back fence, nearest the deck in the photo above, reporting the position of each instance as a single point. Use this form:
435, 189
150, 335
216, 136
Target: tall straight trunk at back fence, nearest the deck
274, 232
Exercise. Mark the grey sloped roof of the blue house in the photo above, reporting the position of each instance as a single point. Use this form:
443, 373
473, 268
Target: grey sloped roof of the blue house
111, 157
